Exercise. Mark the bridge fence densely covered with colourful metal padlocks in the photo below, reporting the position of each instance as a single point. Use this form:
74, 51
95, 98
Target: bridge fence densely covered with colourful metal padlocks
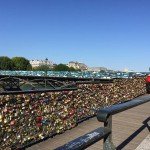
26, 118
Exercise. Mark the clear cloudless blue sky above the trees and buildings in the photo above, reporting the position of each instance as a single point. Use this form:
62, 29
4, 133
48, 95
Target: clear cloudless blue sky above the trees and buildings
110, 33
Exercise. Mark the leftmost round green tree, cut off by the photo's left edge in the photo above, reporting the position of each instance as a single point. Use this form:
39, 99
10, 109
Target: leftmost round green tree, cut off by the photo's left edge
5, 63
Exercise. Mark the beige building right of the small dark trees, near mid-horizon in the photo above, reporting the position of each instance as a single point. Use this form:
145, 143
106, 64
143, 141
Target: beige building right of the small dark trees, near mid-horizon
77, 65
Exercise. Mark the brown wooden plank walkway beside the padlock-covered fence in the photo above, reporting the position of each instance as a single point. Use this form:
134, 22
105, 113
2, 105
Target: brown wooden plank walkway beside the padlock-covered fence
129, 130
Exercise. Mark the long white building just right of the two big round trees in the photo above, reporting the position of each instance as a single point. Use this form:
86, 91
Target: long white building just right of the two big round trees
36, 63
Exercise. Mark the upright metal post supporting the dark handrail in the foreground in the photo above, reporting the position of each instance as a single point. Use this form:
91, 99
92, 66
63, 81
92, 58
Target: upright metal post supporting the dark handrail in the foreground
108, 144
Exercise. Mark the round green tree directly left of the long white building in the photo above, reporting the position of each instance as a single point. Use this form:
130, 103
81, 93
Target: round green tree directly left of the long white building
21, 63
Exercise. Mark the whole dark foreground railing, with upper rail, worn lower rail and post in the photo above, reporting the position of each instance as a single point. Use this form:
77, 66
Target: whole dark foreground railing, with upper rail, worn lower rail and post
104, 115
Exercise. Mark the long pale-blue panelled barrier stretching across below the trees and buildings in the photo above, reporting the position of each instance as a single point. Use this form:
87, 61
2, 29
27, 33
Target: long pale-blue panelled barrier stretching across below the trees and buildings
76, 74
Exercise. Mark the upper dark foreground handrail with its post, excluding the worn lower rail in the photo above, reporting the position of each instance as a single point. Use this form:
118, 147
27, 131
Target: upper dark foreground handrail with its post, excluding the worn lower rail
105, 115
